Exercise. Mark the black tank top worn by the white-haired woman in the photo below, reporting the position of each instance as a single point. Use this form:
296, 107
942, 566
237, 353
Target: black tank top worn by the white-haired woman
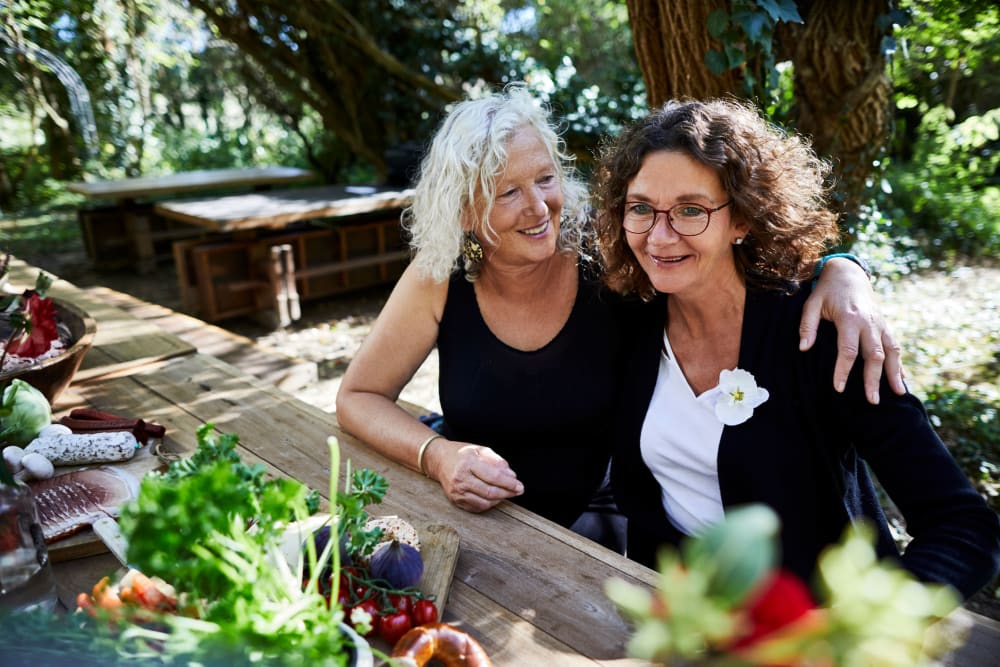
548, 412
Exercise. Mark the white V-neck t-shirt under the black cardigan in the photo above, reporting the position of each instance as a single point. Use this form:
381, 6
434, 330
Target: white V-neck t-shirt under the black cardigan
680, 445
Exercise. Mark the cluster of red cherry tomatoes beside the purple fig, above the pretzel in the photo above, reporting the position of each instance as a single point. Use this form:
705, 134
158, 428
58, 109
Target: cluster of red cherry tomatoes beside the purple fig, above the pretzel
393, 611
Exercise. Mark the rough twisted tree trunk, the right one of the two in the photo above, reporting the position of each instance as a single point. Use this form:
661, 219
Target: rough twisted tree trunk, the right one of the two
841, 87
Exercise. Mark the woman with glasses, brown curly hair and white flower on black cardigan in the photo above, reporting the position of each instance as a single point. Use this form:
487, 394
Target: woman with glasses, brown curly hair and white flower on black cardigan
715, 219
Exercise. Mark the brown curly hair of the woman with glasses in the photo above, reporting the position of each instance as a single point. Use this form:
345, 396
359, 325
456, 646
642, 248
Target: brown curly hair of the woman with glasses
777, 183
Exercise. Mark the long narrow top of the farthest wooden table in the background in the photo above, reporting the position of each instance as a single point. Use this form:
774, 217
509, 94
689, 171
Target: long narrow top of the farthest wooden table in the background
190, 181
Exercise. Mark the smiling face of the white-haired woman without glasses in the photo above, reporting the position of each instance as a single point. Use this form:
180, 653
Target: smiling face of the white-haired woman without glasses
528, 203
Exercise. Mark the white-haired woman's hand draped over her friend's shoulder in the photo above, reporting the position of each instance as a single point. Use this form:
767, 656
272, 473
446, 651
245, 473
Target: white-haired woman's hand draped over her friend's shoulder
844, 296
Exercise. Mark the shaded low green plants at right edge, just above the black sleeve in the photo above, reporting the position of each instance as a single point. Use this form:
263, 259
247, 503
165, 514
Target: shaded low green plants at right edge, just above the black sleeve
969, 422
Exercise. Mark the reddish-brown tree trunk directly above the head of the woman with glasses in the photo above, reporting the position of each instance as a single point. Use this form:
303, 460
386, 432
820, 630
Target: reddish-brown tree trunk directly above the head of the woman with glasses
671, 41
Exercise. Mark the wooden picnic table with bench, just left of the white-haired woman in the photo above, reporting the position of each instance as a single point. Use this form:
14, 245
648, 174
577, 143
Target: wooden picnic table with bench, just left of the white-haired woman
247, 268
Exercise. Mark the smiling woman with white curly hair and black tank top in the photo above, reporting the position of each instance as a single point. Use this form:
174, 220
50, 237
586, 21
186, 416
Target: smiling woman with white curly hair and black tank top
503, 284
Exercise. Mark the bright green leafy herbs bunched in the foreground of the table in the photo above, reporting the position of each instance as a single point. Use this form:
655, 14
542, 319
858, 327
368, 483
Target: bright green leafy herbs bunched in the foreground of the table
211, 526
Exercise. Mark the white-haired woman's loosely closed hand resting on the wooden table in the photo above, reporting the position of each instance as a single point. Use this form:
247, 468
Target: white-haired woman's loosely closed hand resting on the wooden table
475, 478
